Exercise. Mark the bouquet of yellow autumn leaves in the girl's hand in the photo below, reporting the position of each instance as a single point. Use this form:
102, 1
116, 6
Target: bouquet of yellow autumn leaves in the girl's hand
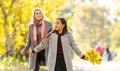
93, 56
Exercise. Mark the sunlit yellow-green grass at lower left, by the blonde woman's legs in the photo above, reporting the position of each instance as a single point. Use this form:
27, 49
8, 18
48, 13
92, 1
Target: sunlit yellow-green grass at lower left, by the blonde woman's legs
13, 64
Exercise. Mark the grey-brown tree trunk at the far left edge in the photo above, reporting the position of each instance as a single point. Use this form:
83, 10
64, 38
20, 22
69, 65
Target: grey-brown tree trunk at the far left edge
8, 41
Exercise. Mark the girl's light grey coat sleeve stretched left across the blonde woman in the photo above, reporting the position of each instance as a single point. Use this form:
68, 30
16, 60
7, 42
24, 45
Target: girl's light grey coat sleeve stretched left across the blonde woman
44, 44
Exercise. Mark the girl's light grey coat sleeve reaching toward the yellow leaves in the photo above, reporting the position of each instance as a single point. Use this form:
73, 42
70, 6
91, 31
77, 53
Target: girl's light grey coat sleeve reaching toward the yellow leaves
74, 45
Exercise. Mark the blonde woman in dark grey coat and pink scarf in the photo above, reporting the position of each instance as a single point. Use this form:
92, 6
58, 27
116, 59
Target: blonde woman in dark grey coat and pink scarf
38, 28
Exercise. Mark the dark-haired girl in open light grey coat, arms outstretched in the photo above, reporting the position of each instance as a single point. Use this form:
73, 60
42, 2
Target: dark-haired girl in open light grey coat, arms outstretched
59, 43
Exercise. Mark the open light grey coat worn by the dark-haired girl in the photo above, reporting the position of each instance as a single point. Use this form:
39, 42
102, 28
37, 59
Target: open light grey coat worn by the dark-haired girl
67, 43
